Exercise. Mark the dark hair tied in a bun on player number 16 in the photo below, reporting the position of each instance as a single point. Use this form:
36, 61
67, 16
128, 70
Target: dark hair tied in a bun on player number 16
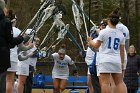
114, 17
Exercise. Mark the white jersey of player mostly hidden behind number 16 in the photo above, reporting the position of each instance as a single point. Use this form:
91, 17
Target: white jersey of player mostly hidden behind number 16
125, 32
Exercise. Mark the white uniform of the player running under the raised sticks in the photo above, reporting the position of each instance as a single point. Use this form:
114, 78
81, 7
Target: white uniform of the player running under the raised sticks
60, 69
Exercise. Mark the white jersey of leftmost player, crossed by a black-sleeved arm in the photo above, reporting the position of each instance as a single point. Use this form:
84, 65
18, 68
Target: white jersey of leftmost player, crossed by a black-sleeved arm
13, 51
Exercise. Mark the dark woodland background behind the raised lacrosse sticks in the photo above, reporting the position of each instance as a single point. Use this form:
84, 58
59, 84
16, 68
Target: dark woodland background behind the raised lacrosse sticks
26, 9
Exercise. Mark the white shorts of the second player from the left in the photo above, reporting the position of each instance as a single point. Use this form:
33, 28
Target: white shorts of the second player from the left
23, 69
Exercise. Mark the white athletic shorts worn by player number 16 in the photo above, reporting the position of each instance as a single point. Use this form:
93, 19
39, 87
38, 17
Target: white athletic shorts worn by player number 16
109, 67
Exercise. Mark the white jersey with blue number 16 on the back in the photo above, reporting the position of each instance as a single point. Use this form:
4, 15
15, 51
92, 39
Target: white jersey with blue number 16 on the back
110, 47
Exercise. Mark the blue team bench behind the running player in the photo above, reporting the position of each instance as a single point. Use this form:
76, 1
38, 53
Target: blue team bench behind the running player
76, 83
